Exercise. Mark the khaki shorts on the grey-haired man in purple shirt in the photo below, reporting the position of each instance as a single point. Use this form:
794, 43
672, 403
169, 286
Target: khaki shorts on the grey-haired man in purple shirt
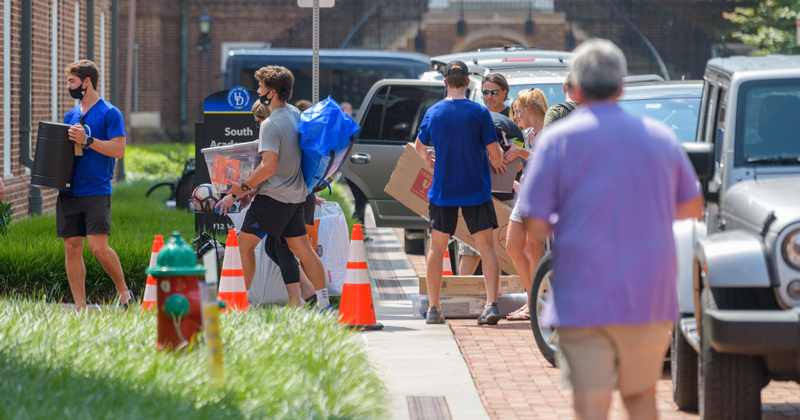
628, 357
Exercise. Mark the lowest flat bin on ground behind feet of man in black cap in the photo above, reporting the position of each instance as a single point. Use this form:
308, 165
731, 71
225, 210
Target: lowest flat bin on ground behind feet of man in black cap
454, 306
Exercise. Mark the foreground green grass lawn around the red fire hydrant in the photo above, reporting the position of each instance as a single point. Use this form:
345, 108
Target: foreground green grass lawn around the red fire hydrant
279, 364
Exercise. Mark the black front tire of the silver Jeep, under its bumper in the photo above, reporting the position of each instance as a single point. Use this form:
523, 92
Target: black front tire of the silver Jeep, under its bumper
729, 384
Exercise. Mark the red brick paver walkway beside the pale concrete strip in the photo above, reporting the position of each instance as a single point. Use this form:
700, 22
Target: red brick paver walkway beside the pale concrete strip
516, 382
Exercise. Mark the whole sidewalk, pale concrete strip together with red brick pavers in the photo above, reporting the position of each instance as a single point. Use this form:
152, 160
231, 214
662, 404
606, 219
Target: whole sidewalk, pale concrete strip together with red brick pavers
481, 372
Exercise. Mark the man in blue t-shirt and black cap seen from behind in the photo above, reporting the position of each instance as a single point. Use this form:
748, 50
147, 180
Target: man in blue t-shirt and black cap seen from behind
461, 132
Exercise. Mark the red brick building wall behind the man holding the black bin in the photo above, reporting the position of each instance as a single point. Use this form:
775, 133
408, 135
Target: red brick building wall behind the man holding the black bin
45, 47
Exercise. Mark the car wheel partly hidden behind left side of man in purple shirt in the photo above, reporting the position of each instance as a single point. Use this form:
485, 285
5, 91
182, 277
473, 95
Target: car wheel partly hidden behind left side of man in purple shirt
546, 337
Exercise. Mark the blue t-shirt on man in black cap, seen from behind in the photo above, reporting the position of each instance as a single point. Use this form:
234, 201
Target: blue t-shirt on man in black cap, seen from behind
459, 130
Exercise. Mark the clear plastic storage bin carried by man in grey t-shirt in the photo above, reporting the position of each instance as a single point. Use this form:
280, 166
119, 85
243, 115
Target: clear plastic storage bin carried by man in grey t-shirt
231, 163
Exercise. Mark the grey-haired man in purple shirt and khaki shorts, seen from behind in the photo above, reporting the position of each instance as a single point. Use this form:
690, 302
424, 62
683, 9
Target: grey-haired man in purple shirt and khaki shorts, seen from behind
609, 185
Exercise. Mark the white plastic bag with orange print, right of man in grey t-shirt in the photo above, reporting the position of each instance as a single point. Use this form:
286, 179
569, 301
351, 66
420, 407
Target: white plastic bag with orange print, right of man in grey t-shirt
332, 244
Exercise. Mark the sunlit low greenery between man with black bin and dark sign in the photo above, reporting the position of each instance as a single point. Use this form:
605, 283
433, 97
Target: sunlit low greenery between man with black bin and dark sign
156, 161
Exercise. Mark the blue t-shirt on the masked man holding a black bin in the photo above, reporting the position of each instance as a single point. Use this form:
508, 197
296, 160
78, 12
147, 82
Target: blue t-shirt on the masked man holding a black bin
94, 170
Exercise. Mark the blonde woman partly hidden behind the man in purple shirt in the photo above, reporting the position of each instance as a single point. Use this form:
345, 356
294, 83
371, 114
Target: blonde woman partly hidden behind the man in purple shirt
525, 253
